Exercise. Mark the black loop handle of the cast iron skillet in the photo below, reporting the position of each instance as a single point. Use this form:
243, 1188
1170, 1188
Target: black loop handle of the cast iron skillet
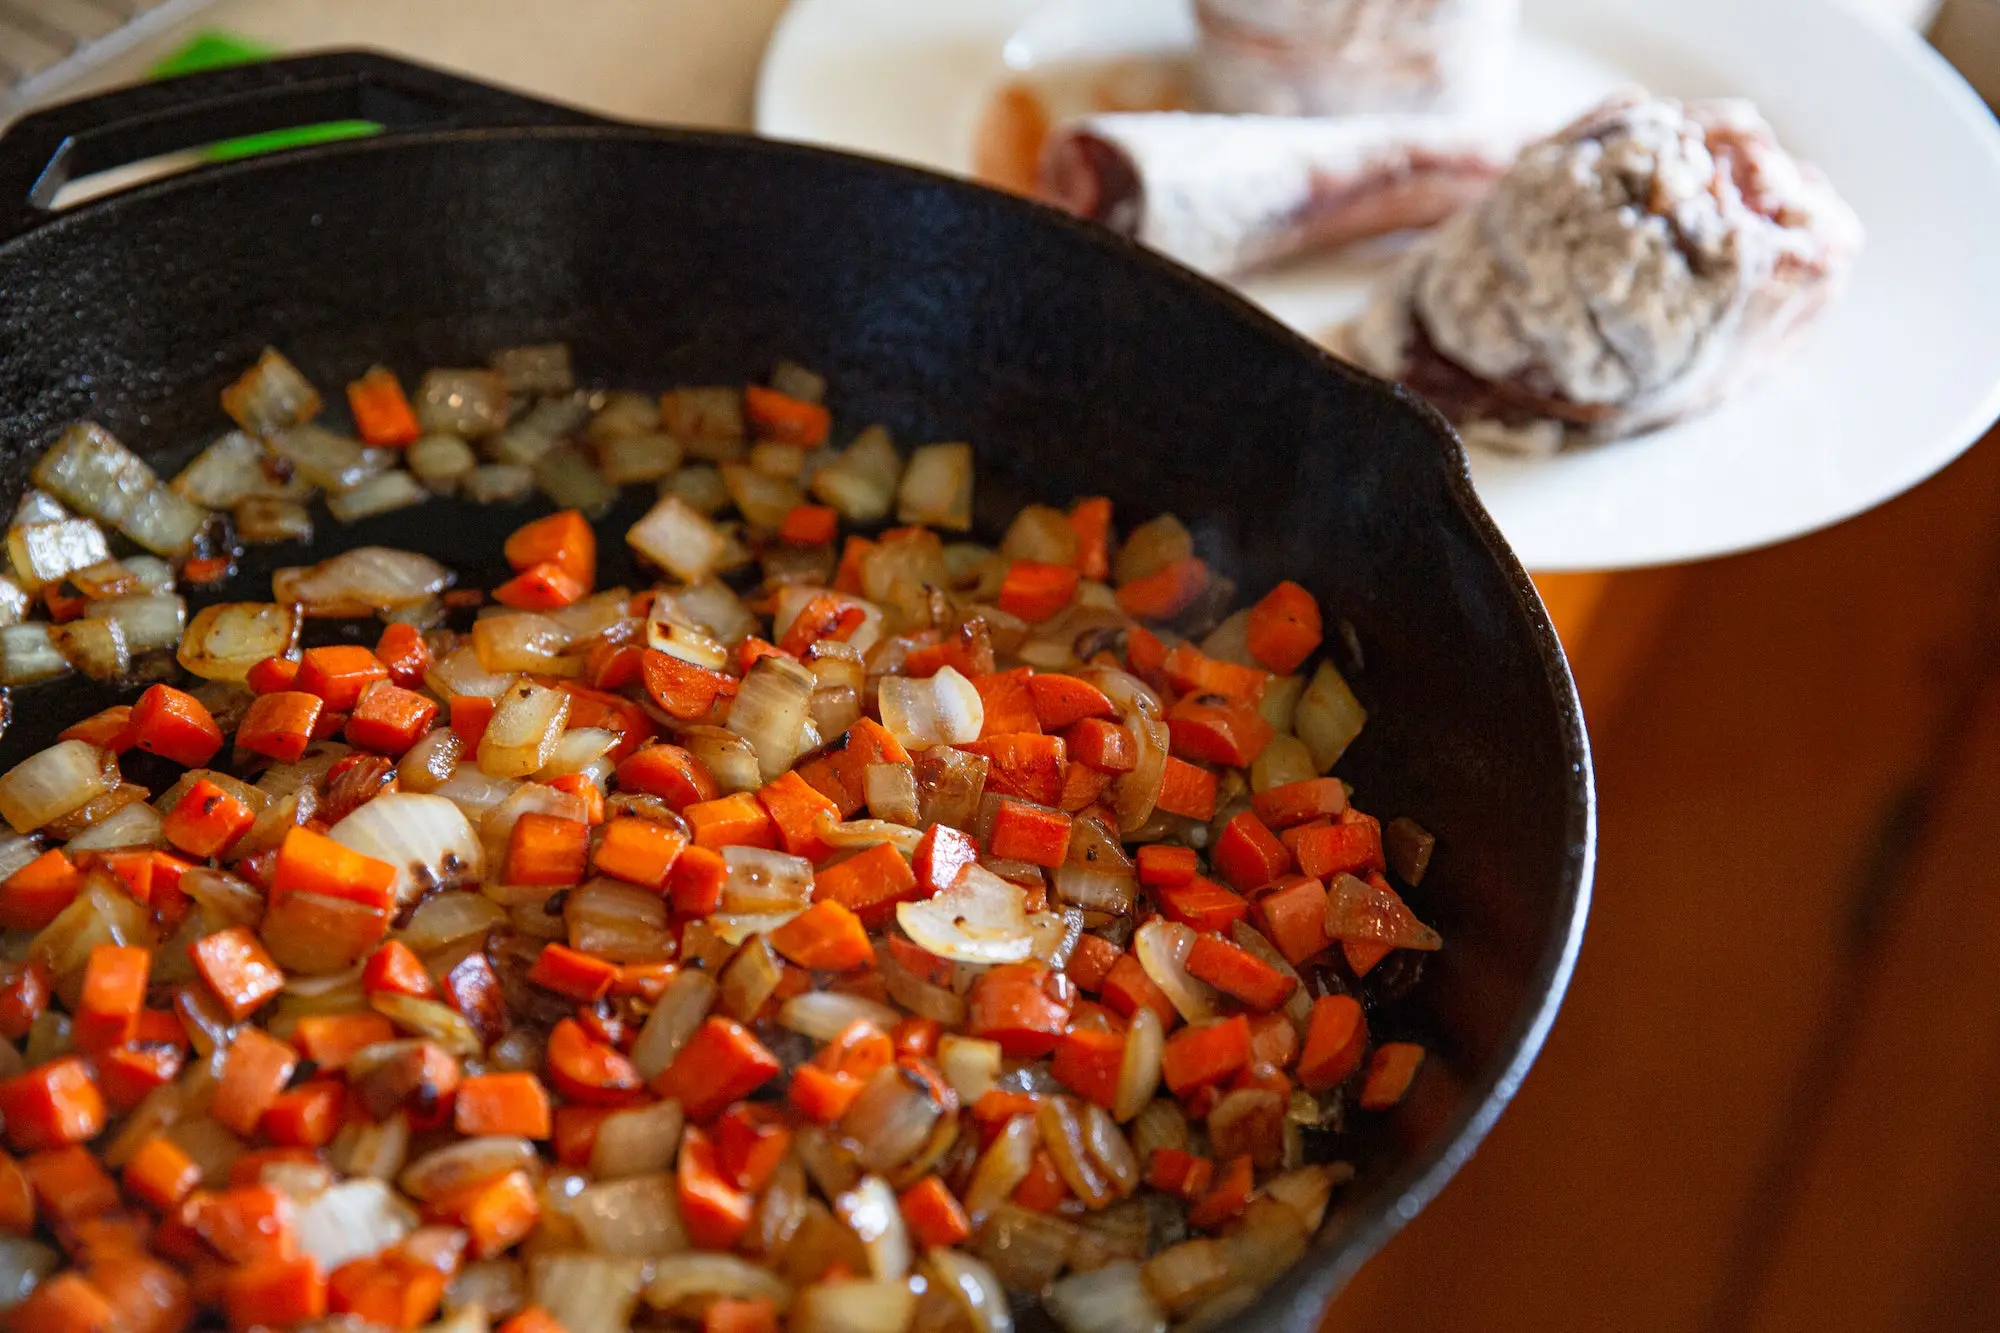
45, 151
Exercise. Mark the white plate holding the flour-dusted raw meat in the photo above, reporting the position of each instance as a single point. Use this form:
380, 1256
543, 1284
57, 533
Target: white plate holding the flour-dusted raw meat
1901, 377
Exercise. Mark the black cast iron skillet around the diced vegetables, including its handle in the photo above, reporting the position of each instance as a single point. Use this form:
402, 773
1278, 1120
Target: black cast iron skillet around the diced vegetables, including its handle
1073, 361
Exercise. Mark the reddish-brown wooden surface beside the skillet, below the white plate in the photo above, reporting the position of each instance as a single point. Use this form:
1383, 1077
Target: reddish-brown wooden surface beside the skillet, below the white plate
1769, 1100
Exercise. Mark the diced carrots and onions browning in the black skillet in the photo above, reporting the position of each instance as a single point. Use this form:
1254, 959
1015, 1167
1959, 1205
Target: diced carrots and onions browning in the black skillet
851, 934
